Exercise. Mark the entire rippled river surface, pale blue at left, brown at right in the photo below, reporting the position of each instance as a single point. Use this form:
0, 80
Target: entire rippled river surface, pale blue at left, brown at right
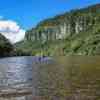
59, 78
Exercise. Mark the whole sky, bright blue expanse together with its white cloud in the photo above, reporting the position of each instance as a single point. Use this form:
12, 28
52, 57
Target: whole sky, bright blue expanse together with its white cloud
16, 16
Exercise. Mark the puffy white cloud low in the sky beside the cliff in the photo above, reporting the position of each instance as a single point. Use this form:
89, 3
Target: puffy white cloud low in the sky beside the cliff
11, 30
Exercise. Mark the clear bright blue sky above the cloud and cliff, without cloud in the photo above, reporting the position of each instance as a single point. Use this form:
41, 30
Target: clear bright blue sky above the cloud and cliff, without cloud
29, 12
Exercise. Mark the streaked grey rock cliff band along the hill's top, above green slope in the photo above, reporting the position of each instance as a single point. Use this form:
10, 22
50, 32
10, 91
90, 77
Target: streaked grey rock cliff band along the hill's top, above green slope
65, 25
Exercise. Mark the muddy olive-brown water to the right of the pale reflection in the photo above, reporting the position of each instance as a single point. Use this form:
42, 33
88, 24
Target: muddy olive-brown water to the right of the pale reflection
68, 78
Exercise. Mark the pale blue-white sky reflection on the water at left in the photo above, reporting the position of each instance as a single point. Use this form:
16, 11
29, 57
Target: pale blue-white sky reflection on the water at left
14, 71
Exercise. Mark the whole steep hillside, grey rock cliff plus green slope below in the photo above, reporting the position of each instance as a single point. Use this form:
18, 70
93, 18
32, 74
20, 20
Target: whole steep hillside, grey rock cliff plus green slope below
70, 32
